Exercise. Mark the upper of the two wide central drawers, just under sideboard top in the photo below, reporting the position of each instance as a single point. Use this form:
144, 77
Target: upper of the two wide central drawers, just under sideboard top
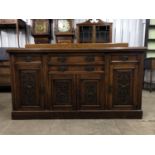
75, 59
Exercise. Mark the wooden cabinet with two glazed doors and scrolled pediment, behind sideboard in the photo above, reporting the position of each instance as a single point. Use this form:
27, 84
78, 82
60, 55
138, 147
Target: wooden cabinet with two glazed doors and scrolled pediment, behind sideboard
92, 32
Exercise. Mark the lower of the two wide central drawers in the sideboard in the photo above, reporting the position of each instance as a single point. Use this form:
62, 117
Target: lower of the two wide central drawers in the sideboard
87, 68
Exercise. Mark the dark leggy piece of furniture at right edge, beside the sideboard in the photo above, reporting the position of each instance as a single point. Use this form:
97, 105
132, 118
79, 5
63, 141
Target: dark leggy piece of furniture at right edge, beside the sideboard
149, 65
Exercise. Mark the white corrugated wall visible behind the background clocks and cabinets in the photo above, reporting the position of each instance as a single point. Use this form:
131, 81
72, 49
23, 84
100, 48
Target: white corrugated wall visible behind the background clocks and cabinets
124, 30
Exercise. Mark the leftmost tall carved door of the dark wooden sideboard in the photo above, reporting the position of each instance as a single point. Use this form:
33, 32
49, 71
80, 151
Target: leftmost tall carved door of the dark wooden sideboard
29, 92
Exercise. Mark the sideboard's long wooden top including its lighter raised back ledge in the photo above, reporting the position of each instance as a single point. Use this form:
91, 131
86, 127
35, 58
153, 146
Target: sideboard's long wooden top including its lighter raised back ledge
47, 48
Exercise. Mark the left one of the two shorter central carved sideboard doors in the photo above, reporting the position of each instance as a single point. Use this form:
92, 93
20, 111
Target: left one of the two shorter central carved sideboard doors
62, 91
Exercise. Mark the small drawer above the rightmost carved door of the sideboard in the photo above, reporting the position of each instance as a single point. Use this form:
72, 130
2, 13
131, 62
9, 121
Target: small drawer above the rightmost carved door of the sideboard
124, 58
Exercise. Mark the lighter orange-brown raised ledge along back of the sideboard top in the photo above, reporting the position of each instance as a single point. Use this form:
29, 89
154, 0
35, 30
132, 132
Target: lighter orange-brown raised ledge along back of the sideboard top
77, 45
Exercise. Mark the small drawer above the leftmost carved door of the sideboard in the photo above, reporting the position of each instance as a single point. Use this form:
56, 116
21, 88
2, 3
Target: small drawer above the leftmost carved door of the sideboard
28, 58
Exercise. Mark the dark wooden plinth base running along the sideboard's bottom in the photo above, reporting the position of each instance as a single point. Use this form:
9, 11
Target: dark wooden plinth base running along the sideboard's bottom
107, 114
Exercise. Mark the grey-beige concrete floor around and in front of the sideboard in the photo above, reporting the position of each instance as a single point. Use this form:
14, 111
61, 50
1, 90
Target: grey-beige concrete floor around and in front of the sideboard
78, 127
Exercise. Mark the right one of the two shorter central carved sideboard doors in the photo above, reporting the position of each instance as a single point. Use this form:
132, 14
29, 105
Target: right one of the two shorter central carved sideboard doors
90, 89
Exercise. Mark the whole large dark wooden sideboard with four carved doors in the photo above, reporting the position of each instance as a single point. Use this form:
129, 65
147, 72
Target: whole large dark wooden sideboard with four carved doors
77, 82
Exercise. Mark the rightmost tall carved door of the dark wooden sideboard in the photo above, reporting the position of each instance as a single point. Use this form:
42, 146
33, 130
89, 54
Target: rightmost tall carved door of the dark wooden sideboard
123, 86
